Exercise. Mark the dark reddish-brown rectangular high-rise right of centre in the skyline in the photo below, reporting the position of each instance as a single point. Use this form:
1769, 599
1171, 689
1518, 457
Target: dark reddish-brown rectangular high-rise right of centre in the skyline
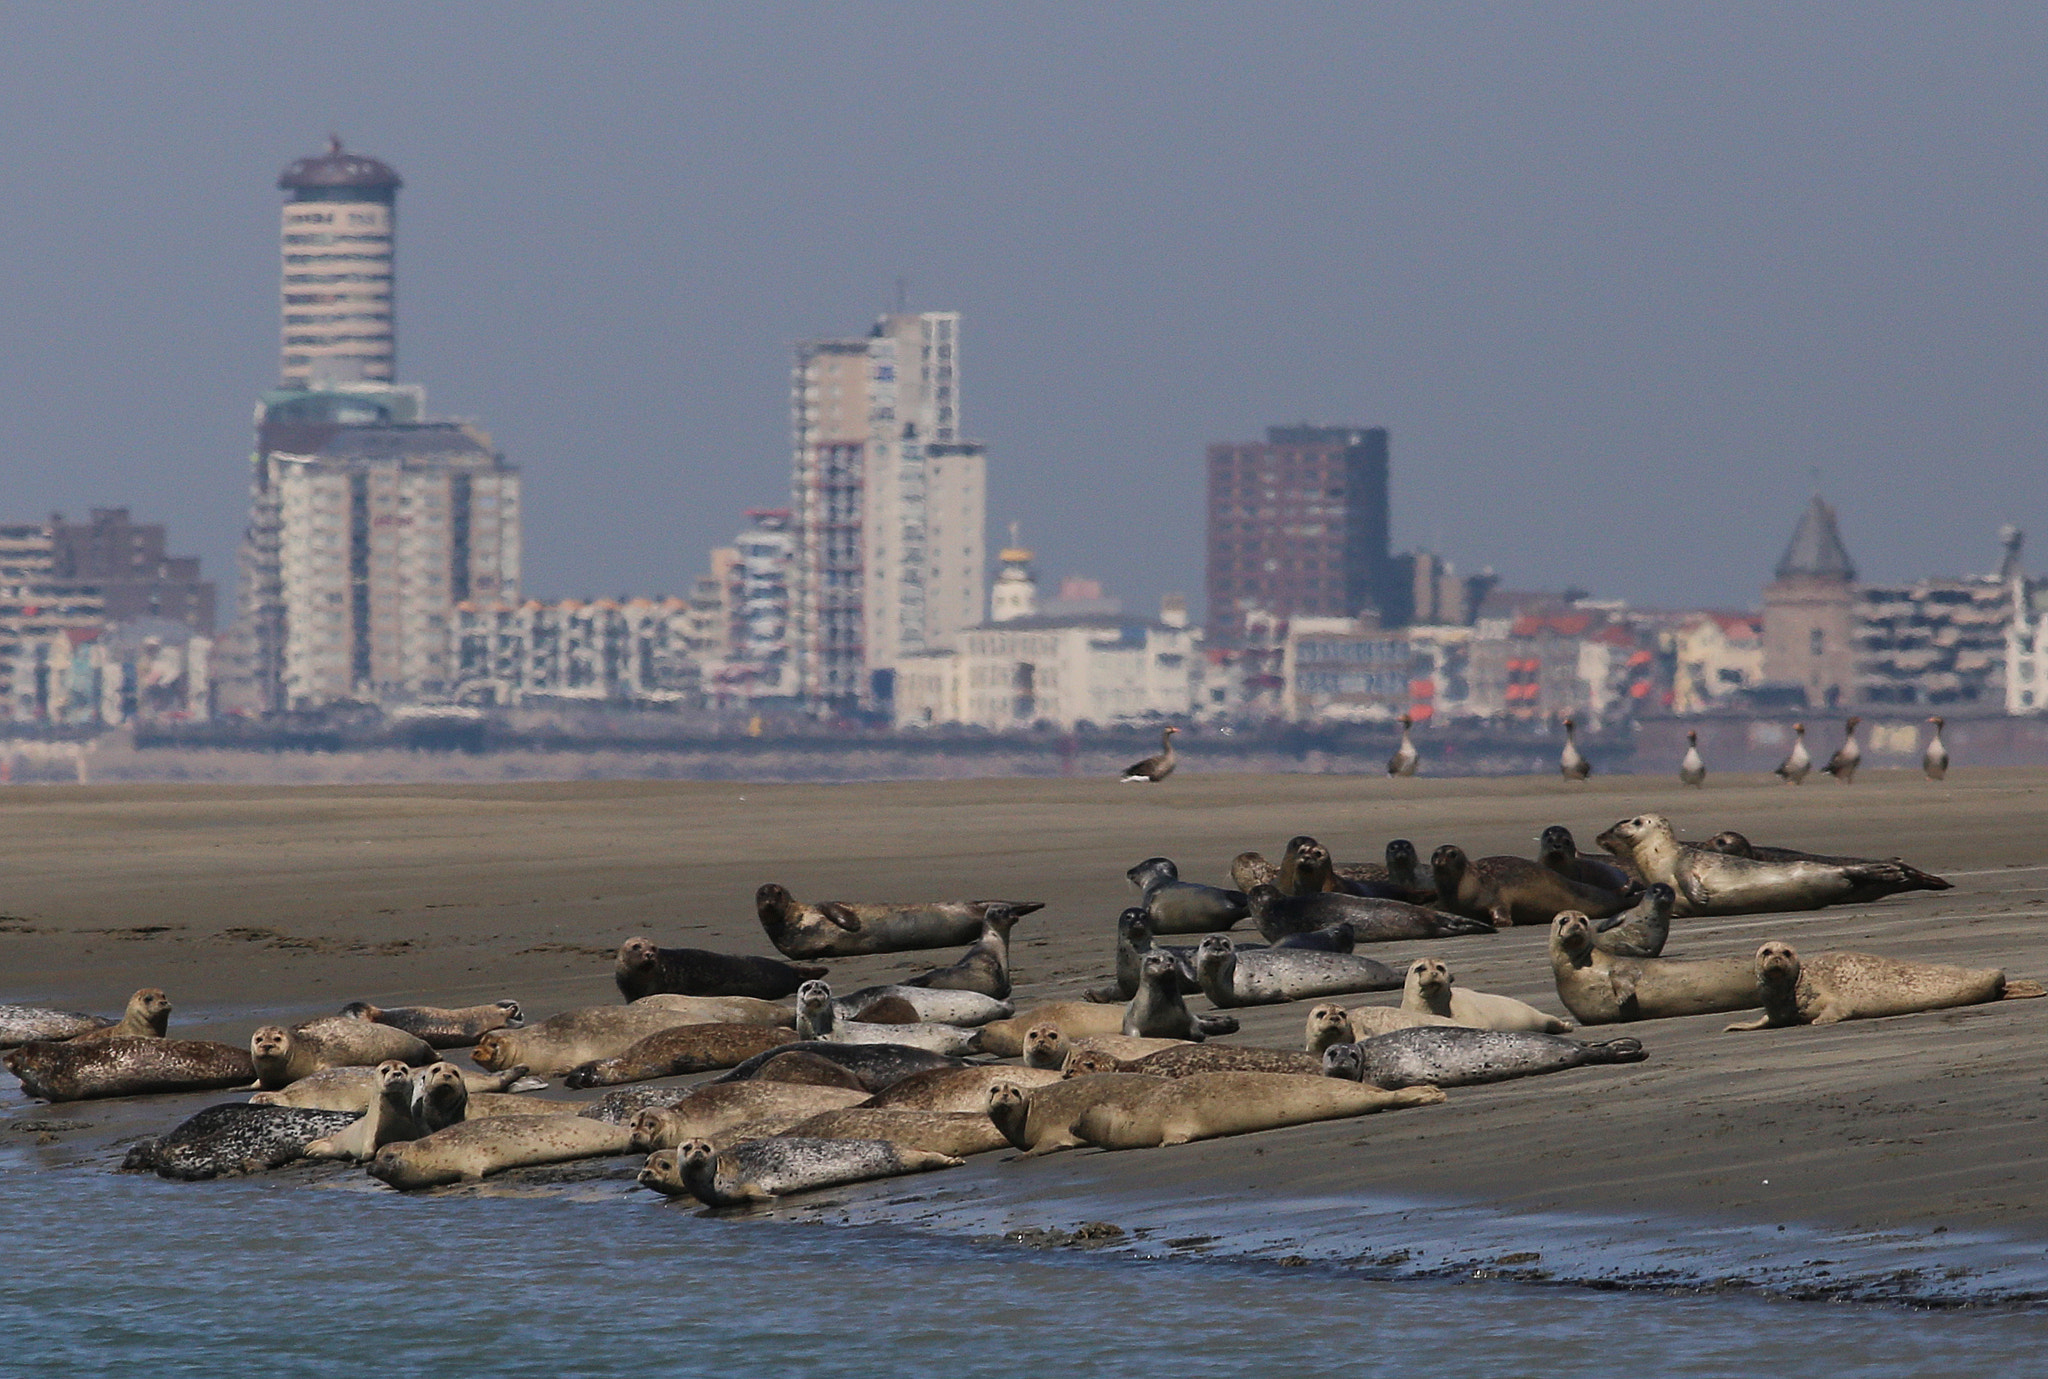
1299, 528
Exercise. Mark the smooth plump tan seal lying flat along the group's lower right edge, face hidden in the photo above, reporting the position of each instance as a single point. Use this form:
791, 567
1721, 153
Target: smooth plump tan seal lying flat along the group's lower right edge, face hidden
1209, 1105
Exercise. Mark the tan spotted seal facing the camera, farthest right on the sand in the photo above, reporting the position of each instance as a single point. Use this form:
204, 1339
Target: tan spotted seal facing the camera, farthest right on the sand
1865, 987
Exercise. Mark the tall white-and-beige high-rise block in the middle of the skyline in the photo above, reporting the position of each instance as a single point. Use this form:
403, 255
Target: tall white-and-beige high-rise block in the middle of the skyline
890, 507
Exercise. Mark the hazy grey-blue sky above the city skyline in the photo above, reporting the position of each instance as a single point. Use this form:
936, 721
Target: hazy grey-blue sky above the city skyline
1617, 278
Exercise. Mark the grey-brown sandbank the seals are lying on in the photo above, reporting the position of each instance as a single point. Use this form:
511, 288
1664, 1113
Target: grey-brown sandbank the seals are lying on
251, 903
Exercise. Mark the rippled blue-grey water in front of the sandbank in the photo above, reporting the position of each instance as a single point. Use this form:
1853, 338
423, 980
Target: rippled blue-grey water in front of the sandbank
292, 1278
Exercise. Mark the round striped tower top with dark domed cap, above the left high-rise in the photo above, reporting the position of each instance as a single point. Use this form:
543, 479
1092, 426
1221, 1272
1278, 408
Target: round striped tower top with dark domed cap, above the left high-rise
341, 216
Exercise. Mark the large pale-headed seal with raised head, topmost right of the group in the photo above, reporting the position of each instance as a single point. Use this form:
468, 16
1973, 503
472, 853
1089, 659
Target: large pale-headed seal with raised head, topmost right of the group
1717, 884
